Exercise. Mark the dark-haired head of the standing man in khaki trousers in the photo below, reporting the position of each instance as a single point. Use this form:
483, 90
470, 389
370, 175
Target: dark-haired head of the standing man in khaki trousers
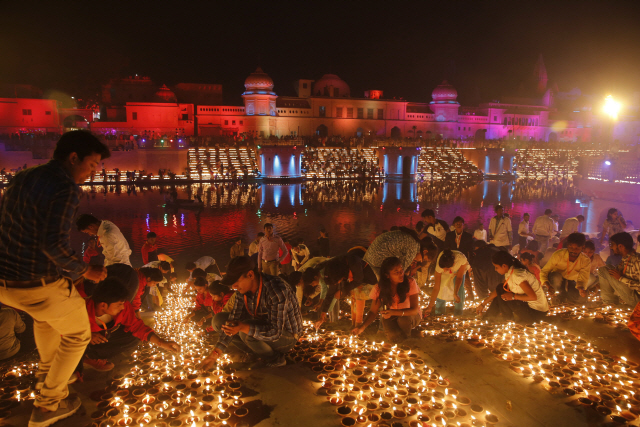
80, 152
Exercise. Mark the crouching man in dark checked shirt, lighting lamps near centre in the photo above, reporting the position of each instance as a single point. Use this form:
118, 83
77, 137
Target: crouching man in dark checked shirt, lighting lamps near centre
265, 320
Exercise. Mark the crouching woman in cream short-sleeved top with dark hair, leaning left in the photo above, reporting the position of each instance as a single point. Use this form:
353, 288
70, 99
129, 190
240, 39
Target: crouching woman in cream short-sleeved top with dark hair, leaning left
521, 295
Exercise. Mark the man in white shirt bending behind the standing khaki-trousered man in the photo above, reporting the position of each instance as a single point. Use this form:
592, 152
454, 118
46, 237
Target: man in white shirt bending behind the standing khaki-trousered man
115, 247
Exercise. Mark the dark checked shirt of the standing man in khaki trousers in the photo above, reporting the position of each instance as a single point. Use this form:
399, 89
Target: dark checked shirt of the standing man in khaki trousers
36, 216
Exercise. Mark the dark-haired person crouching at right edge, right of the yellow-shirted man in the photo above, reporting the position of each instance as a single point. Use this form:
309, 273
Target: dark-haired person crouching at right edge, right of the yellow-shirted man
624, 280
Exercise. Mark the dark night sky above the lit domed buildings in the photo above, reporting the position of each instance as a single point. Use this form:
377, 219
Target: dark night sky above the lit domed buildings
486, 49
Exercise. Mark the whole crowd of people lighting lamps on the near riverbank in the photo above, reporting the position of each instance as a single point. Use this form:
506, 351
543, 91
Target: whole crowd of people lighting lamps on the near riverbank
87, 309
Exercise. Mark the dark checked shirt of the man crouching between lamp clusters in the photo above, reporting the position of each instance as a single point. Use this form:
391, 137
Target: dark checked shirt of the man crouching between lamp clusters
277, 311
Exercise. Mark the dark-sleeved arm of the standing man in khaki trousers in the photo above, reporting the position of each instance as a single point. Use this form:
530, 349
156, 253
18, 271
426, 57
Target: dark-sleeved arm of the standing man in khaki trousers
57, 225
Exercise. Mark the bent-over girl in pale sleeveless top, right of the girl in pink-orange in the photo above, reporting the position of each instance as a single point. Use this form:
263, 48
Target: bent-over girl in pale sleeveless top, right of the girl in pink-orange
451, 267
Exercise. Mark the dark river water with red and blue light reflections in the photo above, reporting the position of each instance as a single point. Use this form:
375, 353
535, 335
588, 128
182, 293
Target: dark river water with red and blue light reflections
352, 212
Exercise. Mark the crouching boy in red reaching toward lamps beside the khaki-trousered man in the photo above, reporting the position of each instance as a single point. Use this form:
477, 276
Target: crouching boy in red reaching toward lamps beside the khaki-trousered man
115, 327
